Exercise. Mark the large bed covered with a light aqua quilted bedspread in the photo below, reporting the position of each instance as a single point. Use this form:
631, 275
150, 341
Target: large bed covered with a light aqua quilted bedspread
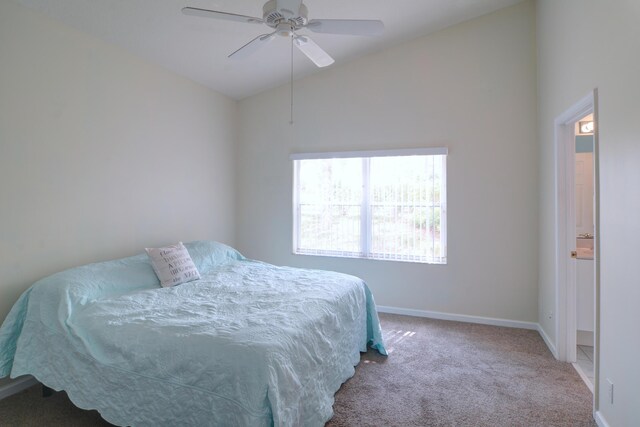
248, 344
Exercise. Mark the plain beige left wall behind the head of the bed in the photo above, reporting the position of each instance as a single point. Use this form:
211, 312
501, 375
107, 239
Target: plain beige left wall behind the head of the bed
101, 154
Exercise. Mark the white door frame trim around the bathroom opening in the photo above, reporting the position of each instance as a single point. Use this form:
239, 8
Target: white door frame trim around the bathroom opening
566, 304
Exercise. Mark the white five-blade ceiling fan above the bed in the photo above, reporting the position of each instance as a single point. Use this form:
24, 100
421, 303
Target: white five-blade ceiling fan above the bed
286, 17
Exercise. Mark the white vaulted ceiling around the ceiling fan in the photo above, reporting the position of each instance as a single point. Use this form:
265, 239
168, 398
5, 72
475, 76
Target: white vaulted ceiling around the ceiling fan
197, 47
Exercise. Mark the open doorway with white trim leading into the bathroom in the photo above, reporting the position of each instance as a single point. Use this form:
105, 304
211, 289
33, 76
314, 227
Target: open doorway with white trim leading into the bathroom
577, 237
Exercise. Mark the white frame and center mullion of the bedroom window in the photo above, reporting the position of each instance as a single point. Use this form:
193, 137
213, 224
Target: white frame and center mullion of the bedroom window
365, 226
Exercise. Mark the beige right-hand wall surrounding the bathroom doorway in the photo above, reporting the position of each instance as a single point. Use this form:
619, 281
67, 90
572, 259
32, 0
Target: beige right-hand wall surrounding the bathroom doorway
582, 45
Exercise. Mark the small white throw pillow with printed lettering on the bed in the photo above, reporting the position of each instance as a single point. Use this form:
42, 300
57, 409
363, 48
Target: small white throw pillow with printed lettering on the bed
173, 265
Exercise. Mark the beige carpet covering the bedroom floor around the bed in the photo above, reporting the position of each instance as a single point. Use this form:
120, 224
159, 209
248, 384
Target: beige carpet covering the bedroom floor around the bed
438, 373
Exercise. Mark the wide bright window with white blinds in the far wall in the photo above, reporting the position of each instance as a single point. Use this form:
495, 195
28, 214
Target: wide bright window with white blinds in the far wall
388, 205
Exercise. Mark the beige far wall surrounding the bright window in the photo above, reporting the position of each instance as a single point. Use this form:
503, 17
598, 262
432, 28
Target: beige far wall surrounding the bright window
471, 88
